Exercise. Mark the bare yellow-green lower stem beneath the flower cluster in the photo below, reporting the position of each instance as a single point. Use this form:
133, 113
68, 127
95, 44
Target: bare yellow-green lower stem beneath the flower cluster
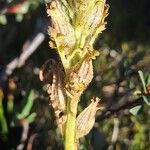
70, 127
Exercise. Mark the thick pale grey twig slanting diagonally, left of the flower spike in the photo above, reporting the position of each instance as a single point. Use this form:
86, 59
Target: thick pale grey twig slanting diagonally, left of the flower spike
28, 48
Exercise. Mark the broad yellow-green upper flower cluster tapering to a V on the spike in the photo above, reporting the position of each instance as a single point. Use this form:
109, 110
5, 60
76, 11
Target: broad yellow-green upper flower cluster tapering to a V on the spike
74, 27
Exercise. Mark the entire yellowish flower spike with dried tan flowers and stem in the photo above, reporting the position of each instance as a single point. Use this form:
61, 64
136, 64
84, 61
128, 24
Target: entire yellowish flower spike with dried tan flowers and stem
74, 27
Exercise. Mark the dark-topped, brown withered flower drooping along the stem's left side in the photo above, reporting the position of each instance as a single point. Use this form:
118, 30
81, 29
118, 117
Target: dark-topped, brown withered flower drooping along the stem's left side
52, 74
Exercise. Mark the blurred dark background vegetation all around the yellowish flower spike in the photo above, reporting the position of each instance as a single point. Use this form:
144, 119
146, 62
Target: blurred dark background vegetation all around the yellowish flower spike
27, 120
